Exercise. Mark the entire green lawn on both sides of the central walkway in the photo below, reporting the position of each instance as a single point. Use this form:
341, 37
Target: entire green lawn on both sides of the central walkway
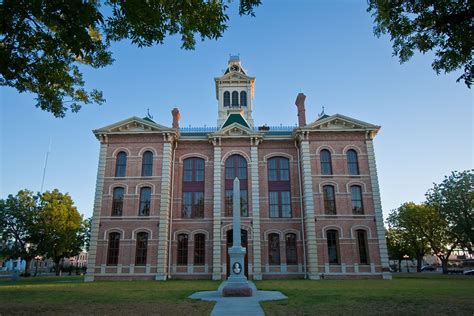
412, 294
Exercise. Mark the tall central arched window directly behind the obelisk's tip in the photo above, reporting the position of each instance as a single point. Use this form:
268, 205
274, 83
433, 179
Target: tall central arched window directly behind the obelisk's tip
236, 166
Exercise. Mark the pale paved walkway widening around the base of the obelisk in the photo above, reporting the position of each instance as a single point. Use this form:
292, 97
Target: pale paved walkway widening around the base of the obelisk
238, 305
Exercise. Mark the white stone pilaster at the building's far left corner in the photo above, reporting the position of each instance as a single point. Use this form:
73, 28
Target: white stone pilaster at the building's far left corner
99, 187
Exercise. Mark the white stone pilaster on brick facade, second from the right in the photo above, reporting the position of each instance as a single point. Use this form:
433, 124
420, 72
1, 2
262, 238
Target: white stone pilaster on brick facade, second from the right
310, 227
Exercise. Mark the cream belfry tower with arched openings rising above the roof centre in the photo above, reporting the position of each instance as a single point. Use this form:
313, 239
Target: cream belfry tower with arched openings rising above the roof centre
234, 92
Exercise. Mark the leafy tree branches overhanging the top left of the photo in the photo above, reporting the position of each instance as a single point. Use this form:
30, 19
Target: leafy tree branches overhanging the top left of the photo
44, 43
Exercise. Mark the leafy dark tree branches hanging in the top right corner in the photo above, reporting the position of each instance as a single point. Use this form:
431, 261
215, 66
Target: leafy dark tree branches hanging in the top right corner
441, 26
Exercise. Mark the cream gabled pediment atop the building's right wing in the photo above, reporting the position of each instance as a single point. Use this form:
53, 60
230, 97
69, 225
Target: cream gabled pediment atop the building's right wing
340, 122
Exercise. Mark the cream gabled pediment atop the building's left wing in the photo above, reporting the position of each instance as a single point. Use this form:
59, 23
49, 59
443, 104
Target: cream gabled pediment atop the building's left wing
133, 125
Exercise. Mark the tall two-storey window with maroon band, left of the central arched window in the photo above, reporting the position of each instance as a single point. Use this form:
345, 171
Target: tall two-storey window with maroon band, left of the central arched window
193, 188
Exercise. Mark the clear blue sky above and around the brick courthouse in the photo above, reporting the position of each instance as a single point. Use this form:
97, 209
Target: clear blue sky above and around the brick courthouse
325, 49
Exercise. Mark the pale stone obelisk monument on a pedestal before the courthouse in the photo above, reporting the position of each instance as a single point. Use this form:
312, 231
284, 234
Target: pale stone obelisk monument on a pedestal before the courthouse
237, 283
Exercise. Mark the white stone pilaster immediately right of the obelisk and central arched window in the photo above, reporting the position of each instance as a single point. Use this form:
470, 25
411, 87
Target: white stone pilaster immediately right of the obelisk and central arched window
257, 248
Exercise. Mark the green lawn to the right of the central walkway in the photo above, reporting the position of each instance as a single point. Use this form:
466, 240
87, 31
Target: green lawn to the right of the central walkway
412, 294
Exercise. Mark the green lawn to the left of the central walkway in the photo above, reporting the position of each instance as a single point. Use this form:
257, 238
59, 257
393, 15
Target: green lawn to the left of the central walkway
69, 295
